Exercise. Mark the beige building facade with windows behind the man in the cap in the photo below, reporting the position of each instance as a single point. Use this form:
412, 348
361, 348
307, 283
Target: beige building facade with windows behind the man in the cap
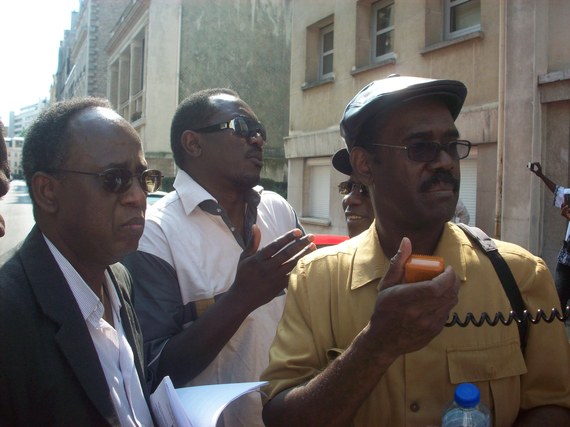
512, 55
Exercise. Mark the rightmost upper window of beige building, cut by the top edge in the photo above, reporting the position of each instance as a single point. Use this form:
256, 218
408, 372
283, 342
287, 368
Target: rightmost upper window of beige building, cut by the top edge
462, 17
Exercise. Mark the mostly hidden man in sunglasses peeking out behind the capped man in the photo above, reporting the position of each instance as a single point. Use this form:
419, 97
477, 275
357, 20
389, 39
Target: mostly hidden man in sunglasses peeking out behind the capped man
356, 203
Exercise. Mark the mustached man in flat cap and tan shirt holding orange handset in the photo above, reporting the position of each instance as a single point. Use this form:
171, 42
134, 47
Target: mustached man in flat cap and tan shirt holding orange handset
358, 346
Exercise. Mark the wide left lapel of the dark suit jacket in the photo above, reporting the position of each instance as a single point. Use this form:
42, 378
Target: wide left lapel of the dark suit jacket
58, 303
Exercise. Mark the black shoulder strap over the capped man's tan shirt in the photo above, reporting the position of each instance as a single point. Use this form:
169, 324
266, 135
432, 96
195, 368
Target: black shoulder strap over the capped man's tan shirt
504, 273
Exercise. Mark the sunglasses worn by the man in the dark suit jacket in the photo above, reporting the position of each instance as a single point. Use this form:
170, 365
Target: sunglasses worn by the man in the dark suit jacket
117, 180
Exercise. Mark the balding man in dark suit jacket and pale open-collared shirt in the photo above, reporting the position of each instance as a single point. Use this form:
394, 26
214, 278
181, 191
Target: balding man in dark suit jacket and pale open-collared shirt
71, 345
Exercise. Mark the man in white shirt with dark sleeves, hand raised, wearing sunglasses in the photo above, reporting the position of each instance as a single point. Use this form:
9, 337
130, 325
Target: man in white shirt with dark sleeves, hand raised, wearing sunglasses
207, 300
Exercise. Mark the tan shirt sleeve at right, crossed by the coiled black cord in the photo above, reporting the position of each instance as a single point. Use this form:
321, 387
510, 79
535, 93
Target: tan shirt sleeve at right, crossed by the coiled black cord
547, 355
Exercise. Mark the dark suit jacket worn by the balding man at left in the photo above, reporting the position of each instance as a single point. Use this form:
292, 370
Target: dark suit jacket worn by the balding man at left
50, 373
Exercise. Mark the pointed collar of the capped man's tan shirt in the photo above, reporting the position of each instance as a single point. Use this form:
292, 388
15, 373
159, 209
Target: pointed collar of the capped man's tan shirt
370, 263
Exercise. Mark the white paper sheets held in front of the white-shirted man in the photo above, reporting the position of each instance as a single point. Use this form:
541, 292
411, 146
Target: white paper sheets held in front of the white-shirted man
198, 406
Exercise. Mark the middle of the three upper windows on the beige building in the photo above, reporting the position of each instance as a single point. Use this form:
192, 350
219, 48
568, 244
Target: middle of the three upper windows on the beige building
382, 29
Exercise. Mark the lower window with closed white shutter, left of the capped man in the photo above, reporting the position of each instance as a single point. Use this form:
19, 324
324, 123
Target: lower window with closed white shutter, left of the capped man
317, 196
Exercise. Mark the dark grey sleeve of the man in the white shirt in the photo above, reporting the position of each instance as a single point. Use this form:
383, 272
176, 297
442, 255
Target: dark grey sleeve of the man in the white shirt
158, 305
